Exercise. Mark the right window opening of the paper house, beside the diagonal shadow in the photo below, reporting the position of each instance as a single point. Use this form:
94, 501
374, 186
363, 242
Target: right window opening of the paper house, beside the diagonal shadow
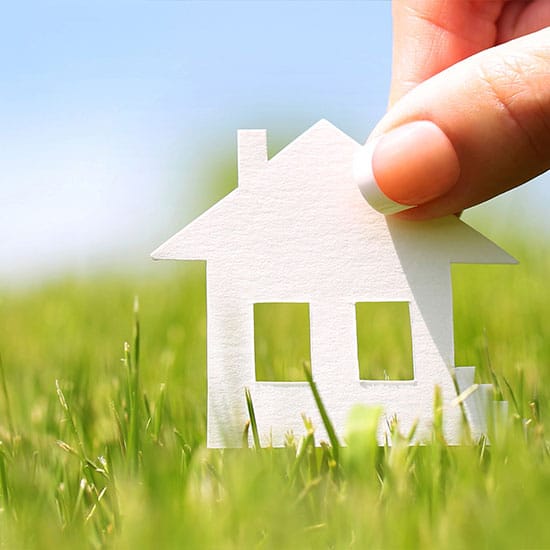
384, 341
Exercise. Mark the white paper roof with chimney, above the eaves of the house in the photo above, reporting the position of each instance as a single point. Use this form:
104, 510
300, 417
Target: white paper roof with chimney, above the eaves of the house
304, 200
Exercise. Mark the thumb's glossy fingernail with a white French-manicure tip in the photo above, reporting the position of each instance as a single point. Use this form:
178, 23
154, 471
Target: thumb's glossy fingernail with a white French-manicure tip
406, 167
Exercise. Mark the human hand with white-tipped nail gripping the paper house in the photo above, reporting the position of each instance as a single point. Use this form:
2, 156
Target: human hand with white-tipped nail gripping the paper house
469, 110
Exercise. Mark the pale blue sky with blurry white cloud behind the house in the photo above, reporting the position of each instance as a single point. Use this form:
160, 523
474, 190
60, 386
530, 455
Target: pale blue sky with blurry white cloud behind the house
111, 112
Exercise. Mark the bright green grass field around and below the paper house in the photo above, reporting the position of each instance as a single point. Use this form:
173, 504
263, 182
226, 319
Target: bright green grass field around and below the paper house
103, 444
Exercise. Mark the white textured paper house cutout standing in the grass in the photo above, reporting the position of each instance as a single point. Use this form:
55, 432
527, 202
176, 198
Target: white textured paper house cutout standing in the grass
297, 229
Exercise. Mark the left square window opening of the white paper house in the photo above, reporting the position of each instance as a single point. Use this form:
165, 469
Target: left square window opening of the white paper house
281, 341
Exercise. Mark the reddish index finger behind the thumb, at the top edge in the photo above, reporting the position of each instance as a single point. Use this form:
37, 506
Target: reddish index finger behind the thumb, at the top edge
429, 36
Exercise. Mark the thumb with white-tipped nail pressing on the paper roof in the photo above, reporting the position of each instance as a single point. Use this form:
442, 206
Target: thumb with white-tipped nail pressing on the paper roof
473, 131
